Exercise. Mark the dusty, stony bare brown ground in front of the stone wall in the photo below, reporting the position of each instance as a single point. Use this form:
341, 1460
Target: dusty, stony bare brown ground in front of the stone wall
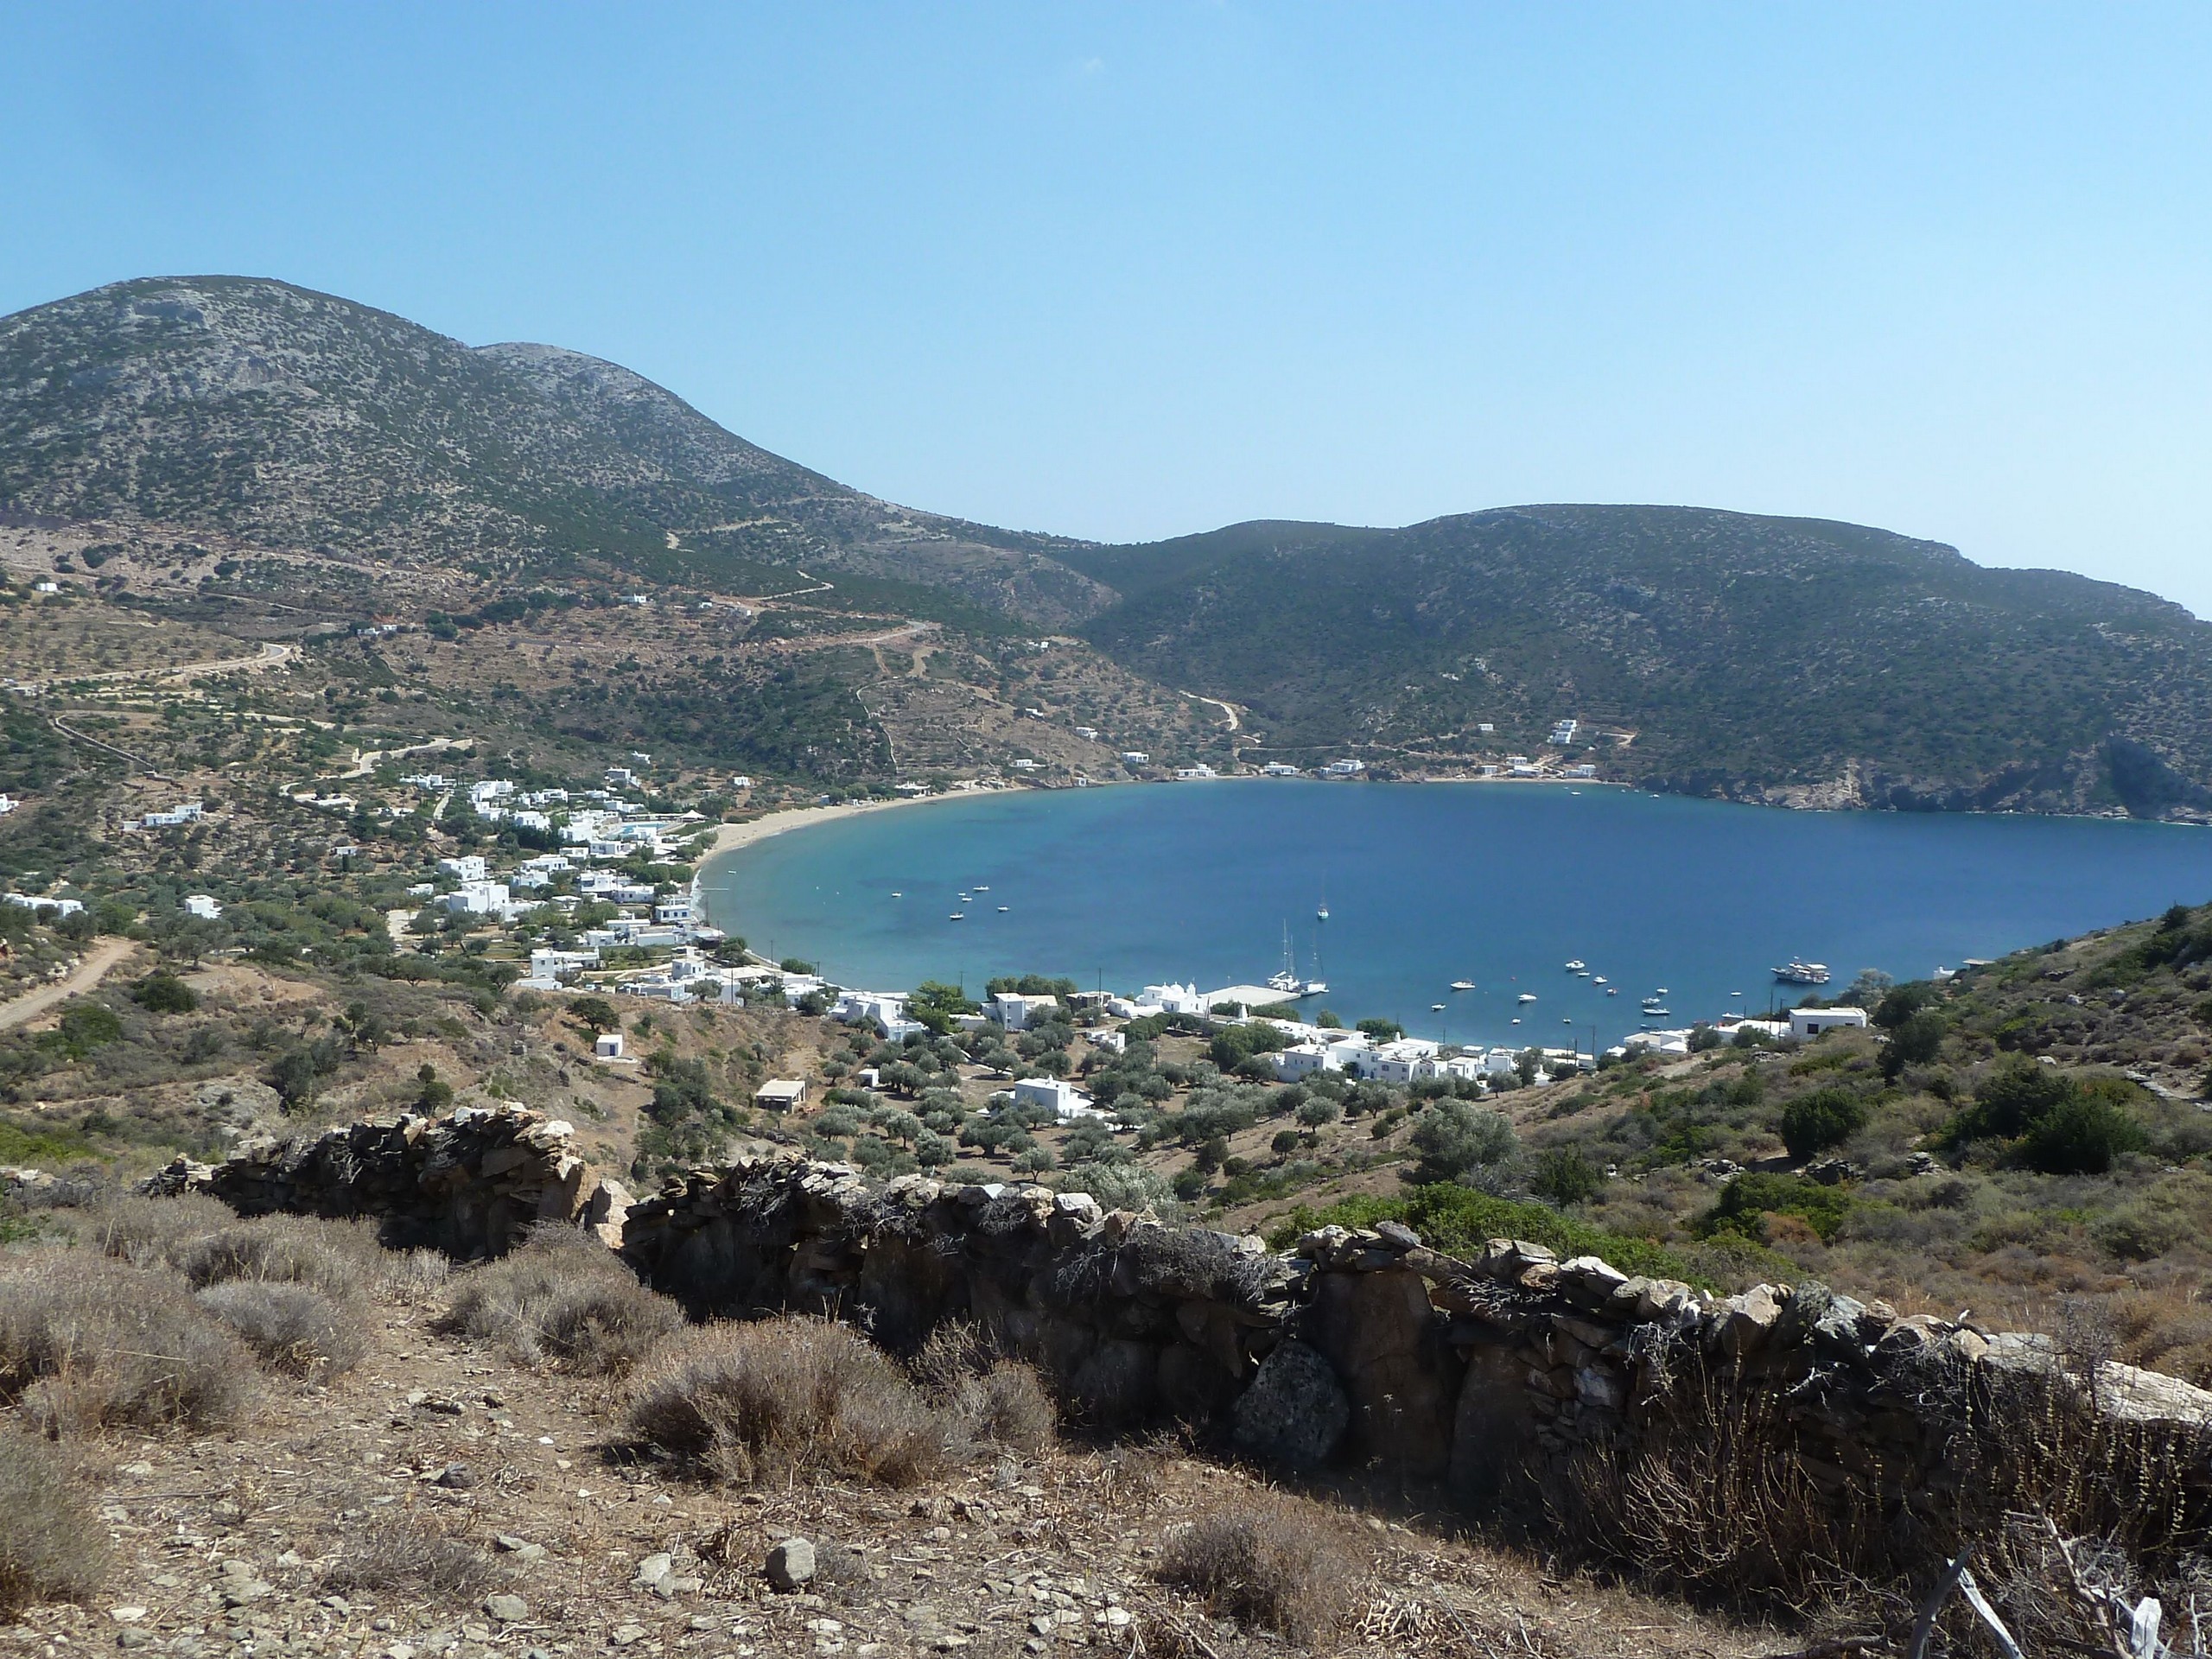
444, 1503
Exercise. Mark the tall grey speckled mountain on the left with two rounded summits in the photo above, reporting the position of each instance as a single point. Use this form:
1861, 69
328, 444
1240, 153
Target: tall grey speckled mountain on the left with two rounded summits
304, 421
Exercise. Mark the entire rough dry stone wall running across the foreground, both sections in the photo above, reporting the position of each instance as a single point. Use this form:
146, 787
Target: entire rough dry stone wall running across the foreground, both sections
1512, 1377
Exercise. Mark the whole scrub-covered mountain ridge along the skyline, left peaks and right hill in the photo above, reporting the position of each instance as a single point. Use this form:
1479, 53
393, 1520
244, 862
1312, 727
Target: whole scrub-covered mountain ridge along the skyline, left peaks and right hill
1715, 654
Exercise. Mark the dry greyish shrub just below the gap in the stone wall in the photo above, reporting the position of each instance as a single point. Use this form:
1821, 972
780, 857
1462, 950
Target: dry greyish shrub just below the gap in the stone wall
563, 1300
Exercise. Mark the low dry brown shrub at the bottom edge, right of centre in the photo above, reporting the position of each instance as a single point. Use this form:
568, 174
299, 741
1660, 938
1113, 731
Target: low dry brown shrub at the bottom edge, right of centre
1266, 1561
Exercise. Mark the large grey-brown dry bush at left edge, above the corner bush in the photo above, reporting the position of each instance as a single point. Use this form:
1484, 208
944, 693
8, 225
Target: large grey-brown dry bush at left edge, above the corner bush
98, 1344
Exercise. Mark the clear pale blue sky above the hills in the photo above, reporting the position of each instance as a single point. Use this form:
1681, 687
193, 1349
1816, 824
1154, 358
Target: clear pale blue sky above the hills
1136, 271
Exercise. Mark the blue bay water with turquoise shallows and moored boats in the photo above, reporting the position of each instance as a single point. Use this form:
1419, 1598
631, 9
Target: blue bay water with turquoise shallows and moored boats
1437, 884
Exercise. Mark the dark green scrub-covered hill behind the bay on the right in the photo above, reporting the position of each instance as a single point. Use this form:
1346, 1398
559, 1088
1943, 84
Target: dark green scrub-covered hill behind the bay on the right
1704, 651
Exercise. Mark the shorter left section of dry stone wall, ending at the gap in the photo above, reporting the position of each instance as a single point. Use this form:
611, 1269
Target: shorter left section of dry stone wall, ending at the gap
470, 1185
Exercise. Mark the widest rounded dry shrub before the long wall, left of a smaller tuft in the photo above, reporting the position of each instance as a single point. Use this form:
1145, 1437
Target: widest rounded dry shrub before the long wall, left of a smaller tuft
791, 1397
